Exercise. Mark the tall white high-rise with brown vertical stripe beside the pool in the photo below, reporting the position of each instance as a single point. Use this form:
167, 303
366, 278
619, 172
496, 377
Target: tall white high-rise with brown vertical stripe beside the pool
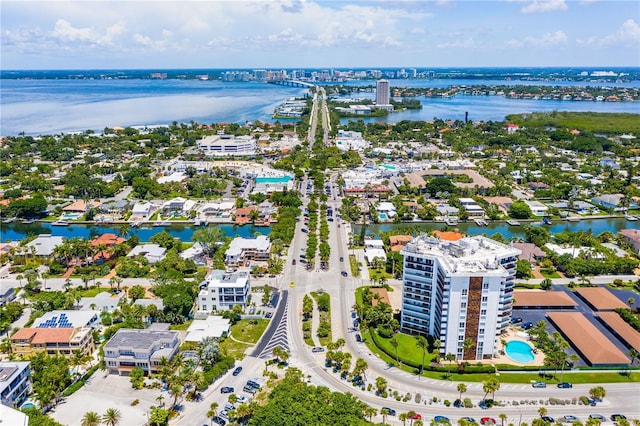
458, 291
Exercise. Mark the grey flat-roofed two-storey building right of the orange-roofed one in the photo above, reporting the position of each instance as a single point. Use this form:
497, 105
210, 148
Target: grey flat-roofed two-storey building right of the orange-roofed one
130, 348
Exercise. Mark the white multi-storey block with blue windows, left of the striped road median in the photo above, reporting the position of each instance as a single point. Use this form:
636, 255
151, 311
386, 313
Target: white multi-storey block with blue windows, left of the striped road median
223, 290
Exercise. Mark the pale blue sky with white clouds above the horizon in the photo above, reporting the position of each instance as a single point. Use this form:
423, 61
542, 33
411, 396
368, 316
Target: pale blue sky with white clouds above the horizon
91, 34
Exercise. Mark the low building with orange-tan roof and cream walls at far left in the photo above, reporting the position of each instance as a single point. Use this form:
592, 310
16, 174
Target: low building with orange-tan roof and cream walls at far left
54, 341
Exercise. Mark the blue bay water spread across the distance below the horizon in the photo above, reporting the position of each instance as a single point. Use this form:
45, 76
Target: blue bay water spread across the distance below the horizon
50, 106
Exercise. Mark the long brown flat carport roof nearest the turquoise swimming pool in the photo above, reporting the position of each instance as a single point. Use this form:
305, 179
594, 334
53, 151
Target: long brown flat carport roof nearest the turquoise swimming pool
596, 348
